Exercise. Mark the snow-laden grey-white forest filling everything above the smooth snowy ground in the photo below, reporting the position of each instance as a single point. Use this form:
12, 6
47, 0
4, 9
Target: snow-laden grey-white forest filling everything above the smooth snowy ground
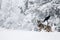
30, 15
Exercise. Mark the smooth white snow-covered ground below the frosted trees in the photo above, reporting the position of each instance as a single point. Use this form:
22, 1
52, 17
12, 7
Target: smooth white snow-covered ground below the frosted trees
27, 35
